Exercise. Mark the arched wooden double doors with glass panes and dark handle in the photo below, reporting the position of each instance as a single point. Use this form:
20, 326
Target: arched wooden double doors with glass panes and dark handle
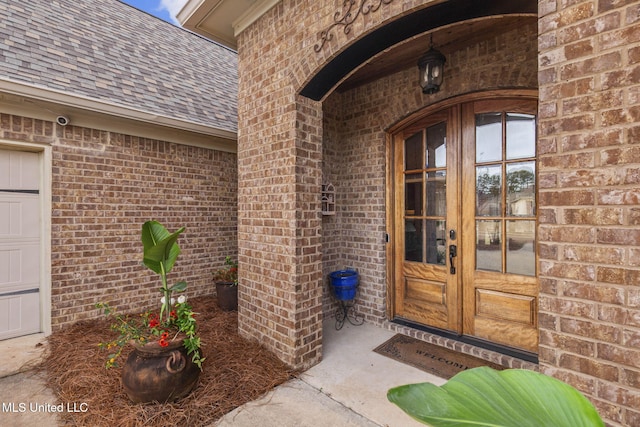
464, 218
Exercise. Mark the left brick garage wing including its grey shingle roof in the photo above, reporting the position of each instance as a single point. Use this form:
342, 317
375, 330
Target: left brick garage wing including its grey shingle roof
147, 138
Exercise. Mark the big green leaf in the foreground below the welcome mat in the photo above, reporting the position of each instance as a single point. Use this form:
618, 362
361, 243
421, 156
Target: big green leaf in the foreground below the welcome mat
486, 397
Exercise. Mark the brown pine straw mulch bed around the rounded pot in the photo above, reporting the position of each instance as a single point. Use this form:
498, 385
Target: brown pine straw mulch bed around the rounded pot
236, 371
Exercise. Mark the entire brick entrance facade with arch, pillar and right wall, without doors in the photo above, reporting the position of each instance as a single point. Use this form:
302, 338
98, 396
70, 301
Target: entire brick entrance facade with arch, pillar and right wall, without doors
310, 113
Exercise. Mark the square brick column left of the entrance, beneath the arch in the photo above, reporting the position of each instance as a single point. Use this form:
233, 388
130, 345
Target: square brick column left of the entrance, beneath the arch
279, 241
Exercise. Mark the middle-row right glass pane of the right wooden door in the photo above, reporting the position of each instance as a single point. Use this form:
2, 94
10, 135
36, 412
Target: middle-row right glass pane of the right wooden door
521, 189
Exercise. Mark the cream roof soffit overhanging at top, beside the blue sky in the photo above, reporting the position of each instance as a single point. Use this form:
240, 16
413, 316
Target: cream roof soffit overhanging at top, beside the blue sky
222, 20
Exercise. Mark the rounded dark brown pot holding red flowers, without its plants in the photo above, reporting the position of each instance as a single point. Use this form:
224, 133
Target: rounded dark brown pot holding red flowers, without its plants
159, 374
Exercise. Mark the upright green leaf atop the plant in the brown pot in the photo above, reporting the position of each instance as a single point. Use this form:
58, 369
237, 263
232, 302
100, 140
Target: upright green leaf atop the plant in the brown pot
160, 247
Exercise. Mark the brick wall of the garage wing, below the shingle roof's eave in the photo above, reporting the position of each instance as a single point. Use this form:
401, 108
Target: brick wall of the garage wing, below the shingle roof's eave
104, 187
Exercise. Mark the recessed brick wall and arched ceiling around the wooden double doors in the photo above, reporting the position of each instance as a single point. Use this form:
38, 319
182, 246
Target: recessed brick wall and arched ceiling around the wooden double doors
484, 53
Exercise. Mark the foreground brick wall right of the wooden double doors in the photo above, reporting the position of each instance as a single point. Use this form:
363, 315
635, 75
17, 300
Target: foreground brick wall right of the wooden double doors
589, 178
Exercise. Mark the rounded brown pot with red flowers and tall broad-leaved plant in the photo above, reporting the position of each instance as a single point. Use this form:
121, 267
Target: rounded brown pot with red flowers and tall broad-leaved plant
166, 359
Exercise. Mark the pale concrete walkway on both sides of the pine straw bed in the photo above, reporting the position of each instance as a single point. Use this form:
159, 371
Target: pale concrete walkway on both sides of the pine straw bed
348, 388
